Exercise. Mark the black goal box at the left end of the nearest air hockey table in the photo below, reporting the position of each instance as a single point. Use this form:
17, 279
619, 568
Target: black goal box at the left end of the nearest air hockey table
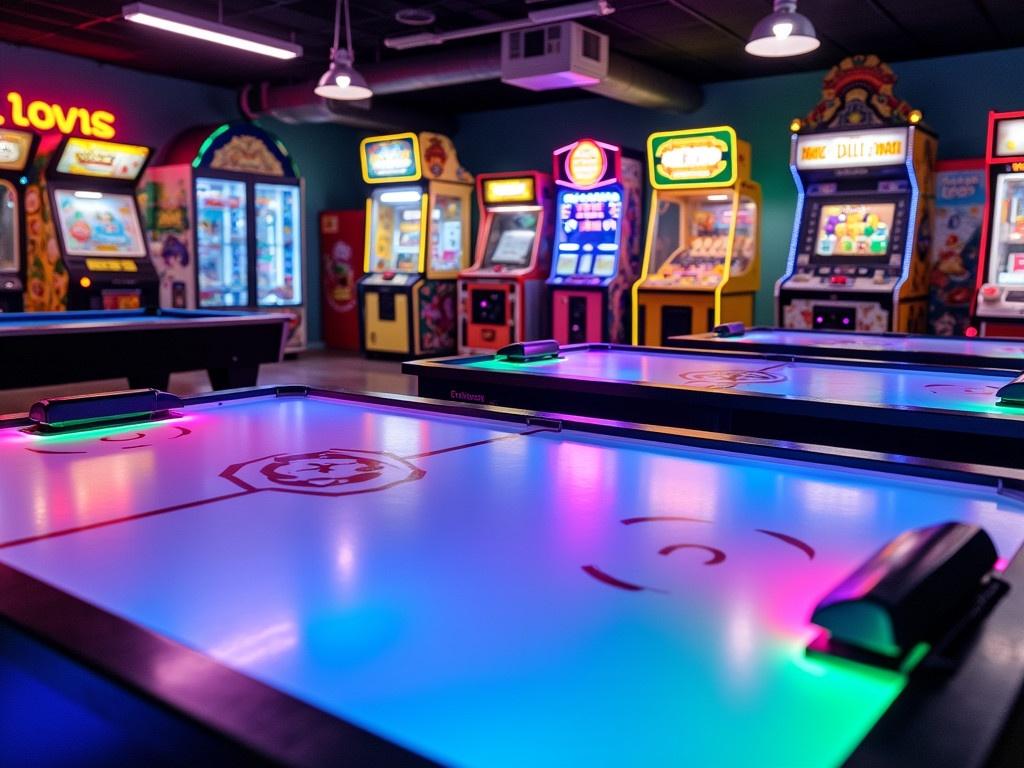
104, 410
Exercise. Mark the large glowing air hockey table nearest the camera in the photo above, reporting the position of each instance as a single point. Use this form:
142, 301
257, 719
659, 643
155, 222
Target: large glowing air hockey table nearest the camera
311, 578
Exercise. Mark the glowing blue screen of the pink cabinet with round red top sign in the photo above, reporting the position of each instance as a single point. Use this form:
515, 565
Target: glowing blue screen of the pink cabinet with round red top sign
589, 233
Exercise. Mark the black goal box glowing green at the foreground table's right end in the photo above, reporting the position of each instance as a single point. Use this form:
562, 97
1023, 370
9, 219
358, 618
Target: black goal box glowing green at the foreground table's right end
927, 588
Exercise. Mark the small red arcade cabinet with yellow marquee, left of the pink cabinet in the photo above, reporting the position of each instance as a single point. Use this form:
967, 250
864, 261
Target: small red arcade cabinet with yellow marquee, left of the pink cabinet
501, 296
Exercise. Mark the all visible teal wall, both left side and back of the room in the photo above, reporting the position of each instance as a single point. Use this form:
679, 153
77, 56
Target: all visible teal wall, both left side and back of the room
955, 95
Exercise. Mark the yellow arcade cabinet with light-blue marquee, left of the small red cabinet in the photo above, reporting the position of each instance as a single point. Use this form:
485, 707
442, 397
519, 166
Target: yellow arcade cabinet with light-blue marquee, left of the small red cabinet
417, 243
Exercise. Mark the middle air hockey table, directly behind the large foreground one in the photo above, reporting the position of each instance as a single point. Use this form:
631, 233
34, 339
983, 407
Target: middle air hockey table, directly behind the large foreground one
957, 414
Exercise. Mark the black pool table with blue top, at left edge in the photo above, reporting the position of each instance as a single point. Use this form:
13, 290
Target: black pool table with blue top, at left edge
144, 346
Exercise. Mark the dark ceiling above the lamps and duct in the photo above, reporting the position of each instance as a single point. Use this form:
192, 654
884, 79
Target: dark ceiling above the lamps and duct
699, 40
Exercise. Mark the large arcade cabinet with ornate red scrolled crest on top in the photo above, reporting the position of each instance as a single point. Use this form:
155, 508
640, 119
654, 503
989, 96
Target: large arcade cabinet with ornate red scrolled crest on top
860, 259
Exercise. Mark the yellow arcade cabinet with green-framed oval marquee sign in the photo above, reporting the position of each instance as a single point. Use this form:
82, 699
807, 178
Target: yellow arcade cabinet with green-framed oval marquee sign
703, 261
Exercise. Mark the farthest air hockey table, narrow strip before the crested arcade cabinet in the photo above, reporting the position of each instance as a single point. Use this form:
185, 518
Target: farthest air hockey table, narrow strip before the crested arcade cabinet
1004, 355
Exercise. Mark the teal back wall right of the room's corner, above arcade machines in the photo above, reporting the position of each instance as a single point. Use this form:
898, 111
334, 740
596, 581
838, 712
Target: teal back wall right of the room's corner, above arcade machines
955, 94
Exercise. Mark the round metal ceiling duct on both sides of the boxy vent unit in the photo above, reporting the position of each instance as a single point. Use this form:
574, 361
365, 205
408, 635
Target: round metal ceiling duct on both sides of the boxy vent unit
628, 81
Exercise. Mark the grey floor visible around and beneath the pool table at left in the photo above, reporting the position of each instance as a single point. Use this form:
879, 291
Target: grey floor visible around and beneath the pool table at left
321, 369
